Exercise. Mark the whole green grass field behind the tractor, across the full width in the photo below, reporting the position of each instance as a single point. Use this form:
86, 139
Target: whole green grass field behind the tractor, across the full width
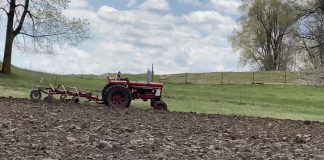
199, 95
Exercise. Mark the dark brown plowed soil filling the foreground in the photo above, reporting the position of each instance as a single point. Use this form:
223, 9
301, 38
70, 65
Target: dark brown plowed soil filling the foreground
39, 130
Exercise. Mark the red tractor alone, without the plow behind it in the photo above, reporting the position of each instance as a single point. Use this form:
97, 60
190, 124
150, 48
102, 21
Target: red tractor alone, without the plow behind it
119, 93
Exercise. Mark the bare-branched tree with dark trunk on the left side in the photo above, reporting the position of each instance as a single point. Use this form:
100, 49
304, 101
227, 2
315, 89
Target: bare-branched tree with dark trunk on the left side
42, 22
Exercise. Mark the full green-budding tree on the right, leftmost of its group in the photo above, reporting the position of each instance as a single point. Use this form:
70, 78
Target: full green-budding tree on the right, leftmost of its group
263, 37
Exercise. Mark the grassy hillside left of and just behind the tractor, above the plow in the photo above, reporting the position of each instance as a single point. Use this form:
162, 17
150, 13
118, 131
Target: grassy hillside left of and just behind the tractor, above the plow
22, 78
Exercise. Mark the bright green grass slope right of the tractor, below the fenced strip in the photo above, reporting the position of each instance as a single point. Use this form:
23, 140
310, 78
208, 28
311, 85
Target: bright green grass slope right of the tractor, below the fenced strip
278, 101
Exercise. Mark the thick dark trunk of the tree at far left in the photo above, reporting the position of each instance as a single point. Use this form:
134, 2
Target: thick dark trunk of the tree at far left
6, 66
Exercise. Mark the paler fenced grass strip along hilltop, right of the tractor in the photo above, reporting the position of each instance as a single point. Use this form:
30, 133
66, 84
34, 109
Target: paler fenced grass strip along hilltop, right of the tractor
273, 77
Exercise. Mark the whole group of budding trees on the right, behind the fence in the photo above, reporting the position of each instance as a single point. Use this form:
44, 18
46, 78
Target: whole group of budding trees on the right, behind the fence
281, 34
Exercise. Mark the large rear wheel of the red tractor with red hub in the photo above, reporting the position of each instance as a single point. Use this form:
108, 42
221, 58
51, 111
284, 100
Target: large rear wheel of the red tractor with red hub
118, 96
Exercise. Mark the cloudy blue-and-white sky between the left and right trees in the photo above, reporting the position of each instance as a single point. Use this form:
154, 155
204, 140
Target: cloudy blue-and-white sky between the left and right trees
177, 36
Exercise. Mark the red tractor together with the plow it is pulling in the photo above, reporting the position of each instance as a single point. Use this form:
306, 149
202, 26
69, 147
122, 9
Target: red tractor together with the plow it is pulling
116, 93
